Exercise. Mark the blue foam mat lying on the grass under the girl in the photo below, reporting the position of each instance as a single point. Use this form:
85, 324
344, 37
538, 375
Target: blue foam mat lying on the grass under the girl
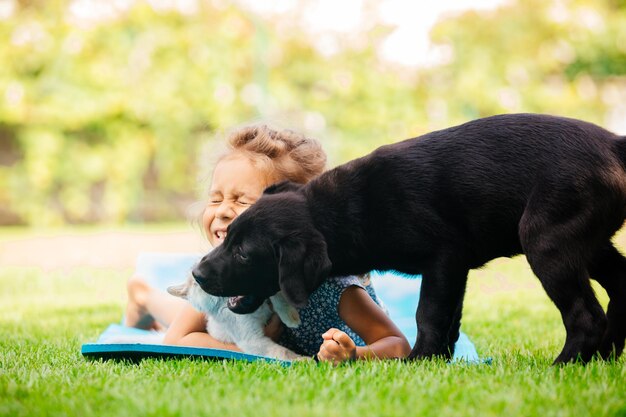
399, 294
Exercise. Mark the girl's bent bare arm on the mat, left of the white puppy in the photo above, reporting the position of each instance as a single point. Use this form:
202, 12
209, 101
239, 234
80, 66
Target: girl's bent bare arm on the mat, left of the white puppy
189, 329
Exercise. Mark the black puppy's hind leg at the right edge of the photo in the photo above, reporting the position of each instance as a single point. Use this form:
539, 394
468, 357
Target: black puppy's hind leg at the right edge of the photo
608, 267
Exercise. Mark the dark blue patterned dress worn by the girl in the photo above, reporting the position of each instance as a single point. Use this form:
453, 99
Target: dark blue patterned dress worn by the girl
321, 313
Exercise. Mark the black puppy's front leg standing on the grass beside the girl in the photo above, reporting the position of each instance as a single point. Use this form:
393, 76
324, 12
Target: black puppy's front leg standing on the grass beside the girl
438, 312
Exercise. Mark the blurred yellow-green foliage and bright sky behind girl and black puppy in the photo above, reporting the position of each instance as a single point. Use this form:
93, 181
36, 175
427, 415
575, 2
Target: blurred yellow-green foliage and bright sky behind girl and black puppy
110, 109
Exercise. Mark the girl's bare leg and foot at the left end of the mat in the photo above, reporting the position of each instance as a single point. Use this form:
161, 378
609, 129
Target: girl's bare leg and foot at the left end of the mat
149, 307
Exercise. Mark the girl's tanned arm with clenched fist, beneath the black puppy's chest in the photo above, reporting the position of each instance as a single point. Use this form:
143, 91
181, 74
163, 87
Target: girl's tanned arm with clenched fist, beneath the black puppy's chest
382, 337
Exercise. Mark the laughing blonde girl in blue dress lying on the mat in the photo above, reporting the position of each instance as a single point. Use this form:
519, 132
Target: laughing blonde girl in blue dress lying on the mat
343, 311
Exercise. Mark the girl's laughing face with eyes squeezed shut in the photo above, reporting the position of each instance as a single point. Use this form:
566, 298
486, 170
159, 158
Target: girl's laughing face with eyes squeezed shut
236, 185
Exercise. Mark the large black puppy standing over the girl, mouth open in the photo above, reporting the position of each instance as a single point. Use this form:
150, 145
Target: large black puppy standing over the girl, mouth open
440, 205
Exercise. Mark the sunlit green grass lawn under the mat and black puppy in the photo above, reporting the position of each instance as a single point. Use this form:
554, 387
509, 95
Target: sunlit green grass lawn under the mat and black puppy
45, 315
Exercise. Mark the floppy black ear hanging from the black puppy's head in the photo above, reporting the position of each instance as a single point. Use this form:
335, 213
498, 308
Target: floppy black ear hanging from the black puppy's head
303, 265
